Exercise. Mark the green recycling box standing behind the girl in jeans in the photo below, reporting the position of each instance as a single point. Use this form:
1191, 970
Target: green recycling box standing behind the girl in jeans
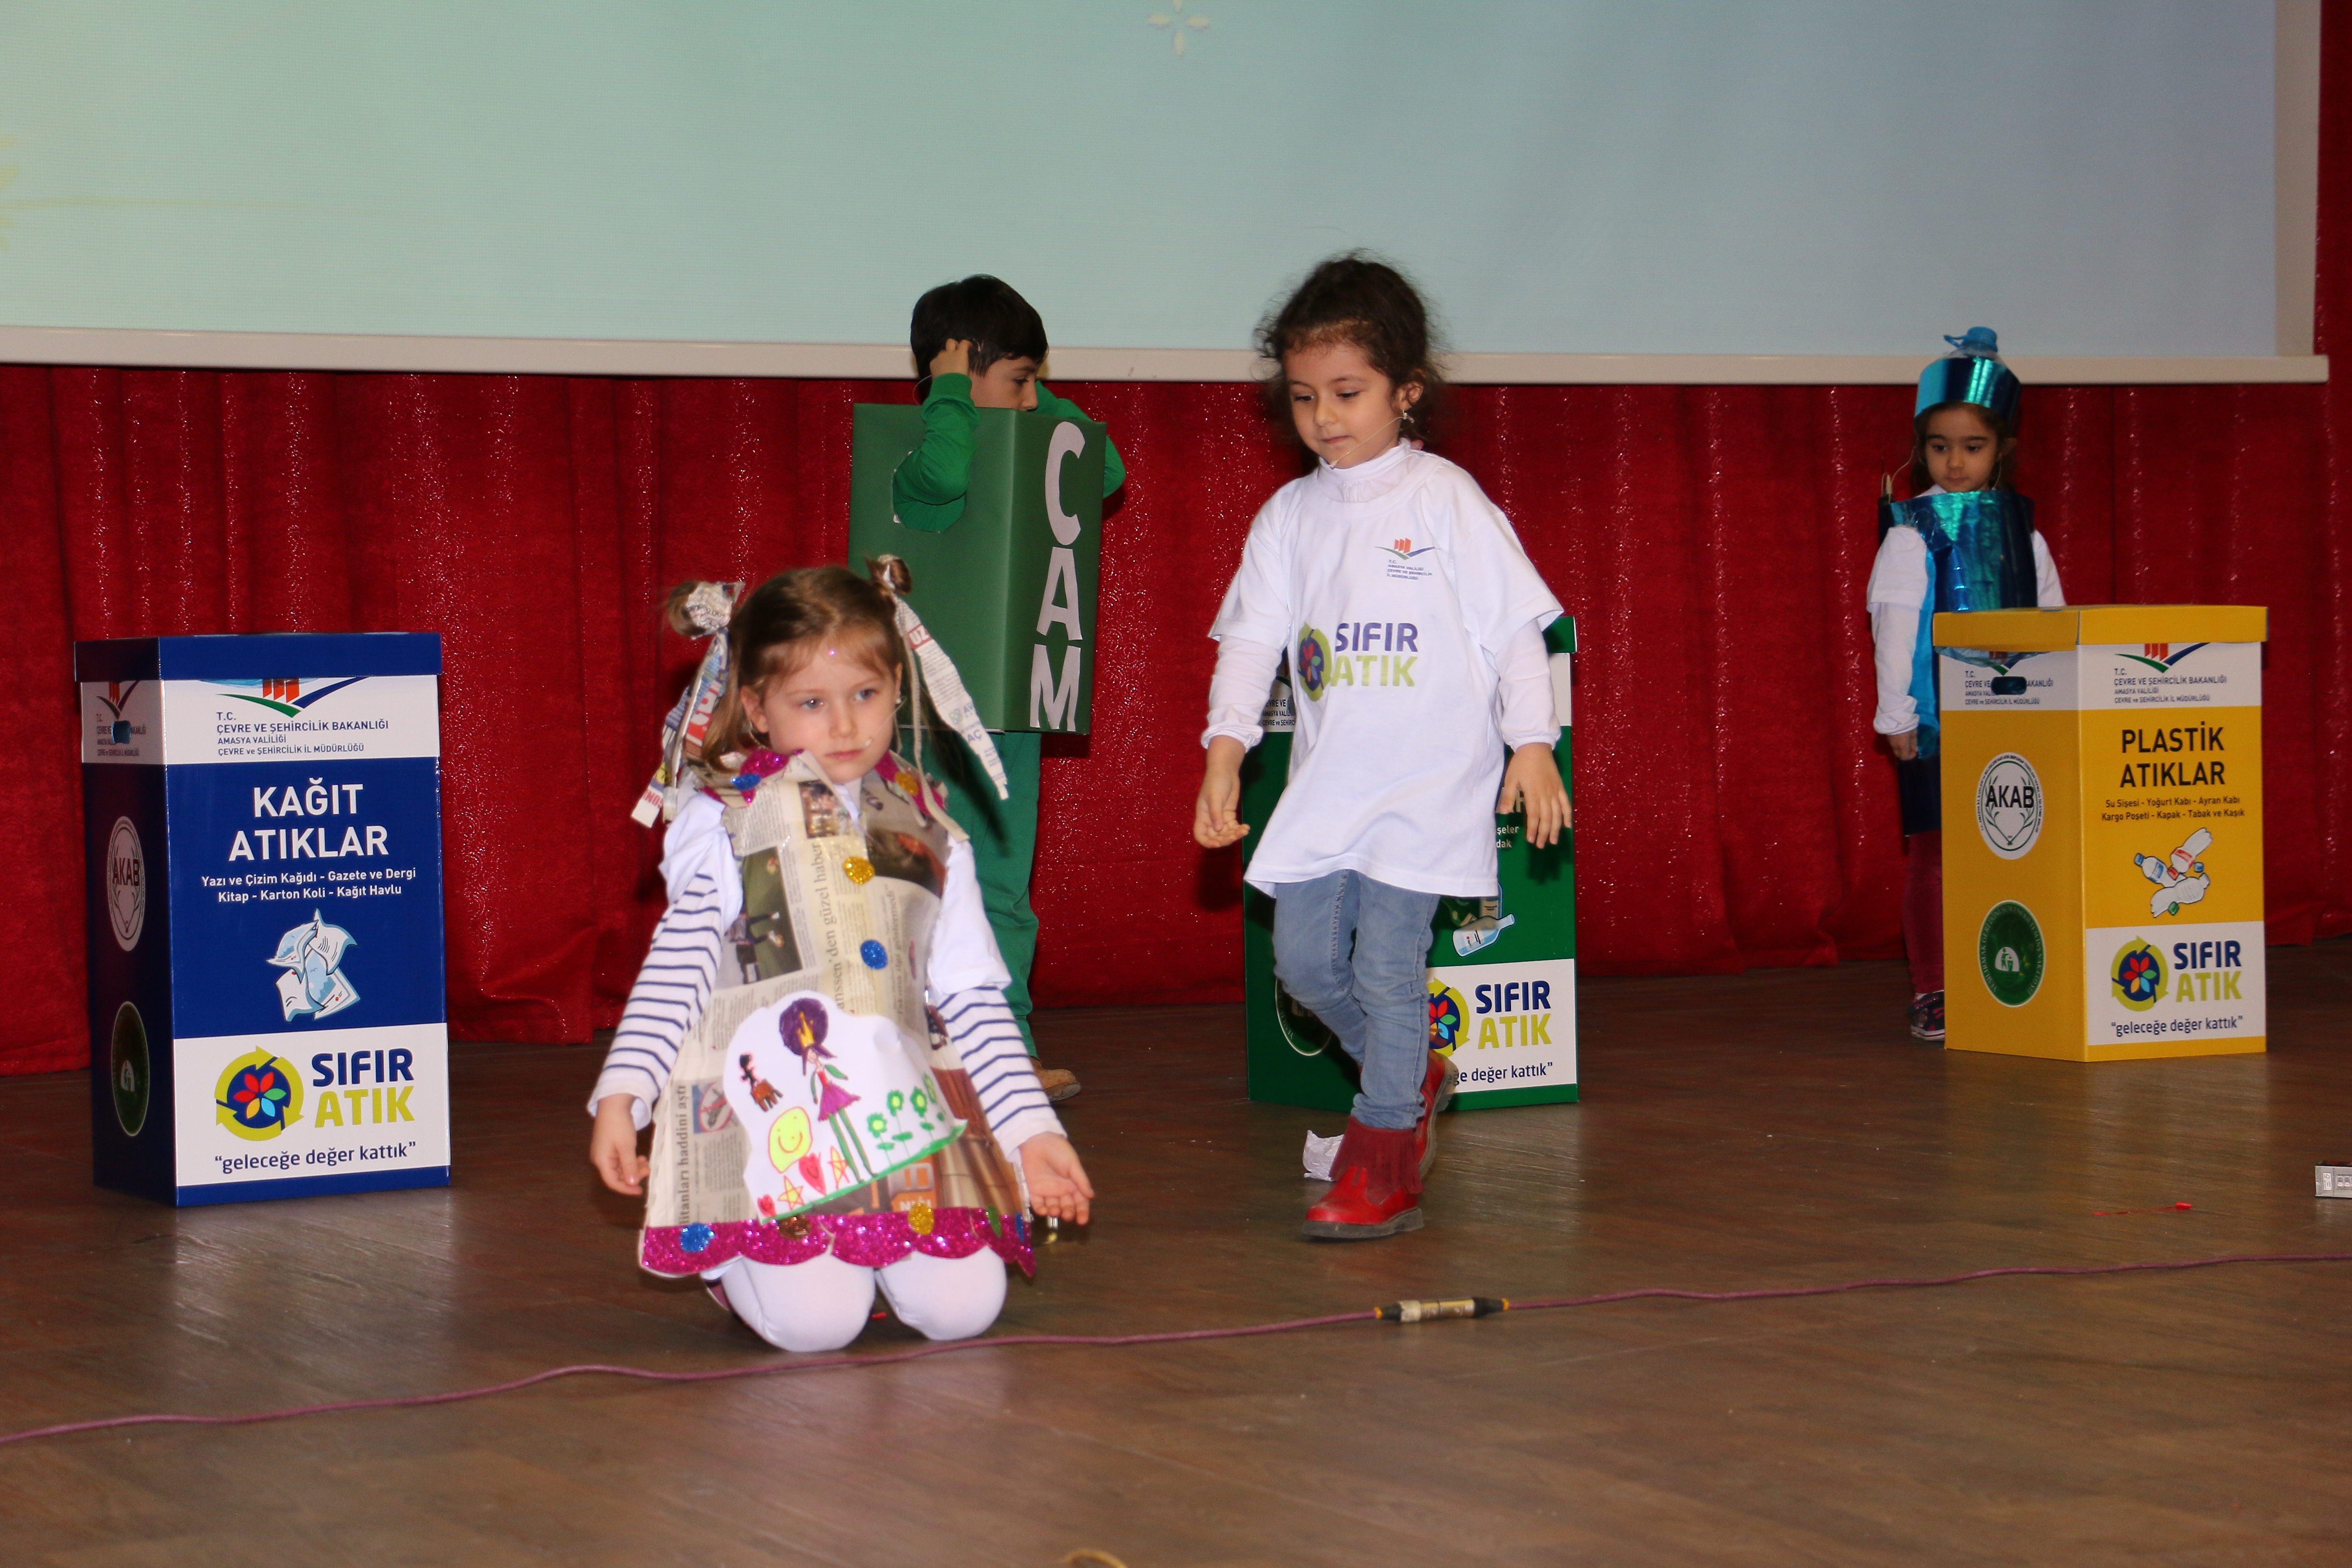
1502, 970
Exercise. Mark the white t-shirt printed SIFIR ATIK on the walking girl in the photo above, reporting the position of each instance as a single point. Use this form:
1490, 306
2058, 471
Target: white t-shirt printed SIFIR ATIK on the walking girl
1396, 589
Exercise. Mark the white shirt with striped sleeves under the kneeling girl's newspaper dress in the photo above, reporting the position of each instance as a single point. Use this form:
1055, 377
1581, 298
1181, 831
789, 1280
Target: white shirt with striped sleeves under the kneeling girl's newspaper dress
707, 894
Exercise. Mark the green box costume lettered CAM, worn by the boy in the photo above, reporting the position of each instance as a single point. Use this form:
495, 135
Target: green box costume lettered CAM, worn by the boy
1010, 587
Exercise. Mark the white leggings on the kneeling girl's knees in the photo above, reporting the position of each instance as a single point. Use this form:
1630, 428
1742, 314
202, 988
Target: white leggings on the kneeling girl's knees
824, 1304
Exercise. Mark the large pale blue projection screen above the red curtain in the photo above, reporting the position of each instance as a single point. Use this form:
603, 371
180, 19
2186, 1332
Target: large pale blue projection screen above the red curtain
1589, 189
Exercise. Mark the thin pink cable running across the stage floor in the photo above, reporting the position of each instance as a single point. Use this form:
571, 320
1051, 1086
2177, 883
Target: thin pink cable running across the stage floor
1111, 1341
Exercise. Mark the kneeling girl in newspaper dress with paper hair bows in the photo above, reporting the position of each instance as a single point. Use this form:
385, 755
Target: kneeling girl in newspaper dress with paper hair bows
820, 1033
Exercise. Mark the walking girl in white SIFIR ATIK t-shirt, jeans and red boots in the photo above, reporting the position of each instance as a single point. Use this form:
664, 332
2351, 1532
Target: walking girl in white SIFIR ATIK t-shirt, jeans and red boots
1415, 629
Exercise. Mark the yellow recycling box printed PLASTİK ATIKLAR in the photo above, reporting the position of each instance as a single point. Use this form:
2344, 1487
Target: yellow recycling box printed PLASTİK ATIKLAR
2104, 831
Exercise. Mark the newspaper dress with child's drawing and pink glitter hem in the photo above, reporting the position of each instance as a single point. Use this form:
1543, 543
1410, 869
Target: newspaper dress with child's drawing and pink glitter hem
817, 1104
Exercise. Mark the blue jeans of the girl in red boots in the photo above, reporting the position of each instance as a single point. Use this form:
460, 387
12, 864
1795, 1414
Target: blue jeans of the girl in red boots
1358, 956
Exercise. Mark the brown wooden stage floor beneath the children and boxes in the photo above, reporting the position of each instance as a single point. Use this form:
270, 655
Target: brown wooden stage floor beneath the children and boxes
1739, 1134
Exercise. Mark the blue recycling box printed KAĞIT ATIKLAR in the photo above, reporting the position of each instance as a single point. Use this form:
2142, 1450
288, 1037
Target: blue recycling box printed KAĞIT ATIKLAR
262, 845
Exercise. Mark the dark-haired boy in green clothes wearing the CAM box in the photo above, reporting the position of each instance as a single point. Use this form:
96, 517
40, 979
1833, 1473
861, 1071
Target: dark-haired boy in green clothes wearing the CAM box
980, 347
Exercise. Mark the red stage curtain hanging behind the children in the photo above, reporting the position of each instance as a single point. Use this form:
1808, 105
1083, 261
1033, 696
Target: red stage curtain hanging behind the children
1711, 542
